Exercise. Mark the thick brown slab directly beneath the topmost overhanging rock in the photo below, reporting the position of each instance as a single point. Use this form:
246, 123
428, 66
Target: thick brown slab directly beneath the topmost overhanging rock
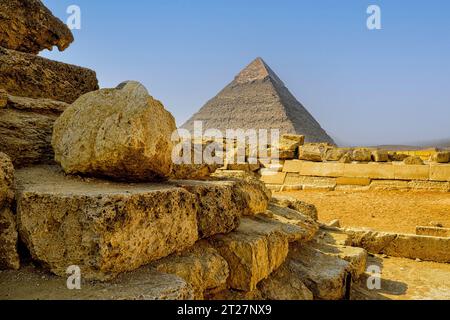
27, 75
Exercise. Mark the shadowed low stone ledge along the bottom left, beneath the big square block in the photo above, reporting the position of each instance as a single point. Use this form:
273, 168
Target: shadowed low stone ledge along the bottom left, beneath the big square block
30, 283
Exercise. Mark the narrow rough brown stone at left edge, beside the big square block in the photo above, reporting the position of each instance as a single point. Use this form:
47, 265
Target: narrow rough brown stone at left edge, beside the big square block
9, 258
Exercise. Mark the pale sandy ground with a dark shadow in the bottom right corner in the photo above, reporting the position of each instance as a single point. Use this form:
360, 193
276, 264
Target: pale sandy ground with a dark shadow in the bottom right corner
405, 279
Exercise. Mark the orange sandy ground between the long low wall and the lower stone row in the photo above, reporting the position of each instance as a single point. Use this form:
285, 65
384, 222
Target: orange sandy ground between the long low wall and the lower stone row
392, 211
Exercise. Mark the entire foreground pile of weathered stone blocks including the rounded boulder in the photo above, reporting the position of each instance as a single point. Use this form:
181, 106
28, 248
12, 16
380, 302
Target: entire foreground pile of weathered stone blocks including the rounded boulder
86, 180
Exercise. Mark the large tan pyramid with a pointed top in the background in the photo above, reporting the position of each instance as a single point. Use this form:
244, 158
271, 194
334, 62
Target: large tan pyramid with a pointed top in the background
258, 99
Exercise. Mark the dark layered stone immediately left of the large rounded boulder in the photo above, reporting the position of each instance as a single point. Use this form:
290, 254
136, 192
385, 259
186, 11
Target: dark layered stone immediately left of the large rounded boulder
26, 127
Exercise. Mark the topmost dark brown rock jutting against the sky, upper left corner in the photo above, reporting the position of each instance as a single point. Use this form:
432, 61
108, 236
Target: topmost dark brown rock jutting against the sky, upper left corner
28, 26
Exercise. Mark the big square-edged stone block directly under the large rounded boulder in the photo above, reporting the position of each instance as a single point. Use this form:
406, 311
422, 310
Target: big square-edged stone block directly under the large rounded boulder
105, 228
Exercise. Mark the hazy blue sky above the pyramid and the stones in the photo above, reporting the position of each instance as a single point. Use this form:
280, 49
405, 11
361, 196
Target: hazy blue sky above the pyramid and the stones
386, 86
